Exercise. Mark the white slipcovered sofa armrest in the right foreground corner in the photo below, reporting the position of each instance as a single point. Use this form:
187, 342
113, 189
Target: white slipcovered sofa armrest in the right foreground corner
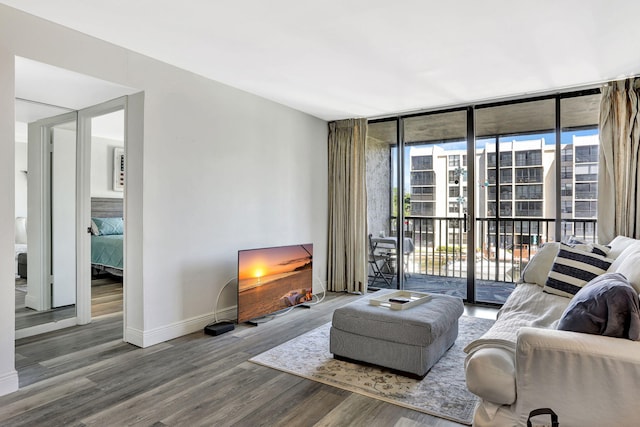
588, 380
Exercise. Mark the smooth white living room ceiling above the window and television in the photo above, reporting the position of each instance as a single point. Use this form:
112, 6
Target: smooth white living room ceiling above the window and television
364, 58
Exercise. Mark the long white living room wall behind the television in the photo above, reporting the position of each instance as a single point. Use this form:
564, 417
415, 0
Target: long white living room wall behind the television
219, 170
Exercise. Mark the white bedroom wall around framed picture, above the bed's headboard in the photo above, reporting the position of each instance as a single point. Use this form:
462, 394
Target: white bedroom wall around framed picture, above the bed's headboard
102, 167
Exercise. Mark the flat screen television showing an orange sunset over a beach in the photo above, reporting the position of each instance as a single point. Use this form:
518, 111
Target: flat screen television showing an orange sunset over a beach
273, 279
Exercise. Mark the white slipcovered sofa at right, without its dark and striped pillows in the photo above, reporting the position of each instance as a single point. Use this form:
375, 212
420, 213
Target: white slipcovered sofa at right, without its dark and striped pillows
524, 362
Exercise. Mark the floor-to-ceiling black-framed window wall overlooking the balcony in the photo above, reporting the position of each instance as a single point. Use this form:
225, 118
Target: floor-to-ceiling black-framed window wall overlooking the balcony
466, 218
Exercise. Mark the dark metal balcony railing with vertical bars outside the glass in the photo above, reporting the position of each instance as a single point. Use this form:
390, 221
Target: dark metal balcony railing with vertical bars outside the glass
503, 246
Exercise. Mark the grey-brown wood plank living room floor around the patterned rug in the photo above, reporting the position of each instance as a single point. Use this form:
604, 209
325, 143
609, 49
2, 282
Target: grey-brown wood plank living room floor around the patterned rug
86, 375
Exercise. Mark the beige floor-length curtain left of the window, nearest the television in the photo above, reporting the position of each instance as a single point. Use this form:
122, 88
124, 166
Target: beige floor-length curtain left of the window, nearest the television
347, 257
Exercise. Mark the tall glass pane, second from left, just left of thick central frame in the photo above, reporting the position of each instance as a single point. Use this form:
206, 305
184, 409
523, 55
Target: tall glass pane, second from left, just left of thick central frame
436, 161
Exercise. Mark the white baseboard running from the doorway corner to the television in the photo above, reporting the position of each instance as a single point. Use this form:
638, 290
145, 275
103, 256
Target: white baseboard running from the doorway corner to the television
165, 333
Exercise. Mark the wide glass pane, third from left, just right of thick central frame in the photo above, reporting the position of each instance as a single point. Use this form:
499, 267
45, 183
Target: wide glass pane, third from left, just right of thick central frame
515, 147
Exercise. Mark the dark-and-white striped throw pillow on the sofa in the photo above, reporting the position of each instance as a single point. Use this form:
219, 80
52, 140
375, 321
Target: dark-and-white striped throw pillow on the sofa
572, 269
